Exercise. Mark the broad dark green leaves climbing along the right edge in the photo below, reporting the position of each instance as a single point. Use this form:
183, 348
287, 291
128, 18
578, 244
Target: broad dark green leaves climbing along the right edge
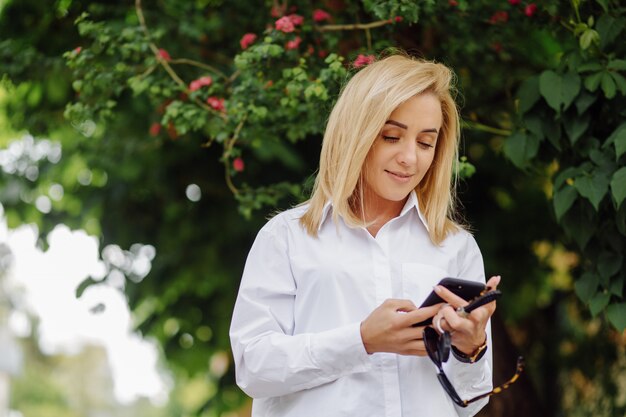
583, 97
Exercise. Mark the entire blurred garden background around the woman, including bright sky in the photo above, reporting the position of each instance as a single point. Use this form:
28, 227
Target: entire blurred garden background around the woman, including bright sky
143, 144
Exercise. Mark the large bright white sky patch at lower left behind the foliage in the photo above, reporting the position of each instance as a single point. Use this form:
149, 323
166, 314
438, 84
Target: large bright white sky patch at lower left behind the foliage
47, 282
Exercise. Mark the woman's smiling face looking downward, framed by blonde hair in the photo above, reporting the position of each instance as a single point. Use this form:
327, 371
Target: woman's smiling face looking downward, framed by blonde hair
403, 151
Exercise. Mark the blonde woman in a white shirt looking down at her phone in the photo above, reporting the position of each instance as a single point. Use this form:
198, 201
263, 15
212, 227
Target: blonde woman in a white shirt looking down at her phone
323, 321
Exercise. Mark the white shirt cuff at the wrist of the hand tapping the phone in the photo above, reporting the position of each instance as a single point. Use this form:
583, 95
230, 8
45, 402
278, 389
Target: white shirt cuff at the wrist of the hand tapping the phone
340, 351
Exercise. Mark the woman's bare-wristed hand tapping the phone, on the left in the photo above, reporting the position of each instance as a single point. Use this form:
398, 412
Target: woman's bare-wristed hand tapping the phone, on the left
389, 328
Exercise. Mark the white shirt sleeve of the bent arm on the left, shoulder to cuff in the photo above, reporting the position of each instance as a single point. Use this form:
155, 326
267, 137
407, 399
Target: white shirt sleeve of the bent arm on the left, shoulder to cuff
270, 360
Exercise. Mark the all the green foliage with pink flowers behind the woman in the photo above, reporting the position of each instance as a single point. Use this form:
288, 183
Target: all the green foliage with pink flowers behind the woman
124, 91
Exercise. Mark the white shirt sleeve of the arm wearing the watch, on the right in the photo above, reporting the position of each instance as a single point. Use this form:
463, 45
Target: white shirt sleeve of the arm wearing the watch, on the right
472, 379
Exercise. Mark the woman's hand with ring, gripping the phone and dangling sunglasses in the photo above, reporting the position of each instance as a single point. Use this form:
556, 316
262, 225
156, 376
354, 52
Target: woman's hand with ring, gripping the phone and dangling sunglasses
467, 334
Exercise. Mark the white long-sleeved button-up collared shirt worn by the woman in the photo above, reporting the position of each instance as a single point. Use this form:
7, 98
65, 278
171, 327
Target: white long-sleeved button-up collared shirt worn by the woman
295, 331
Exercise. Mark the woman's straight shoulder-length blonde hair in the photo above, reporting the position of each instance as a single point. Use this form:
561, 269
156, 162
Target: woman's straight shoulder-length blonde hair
355, 122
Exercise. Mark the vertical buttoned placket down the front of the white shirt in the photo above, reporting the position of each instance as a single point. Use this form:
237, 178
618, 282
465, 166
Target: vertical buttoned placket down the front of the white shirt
388, 361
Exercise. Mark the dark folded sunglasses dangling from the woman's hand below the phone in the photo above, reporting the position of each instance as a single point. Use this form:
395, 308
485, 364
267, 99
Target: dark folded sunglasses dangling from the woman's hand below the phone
438, 349
